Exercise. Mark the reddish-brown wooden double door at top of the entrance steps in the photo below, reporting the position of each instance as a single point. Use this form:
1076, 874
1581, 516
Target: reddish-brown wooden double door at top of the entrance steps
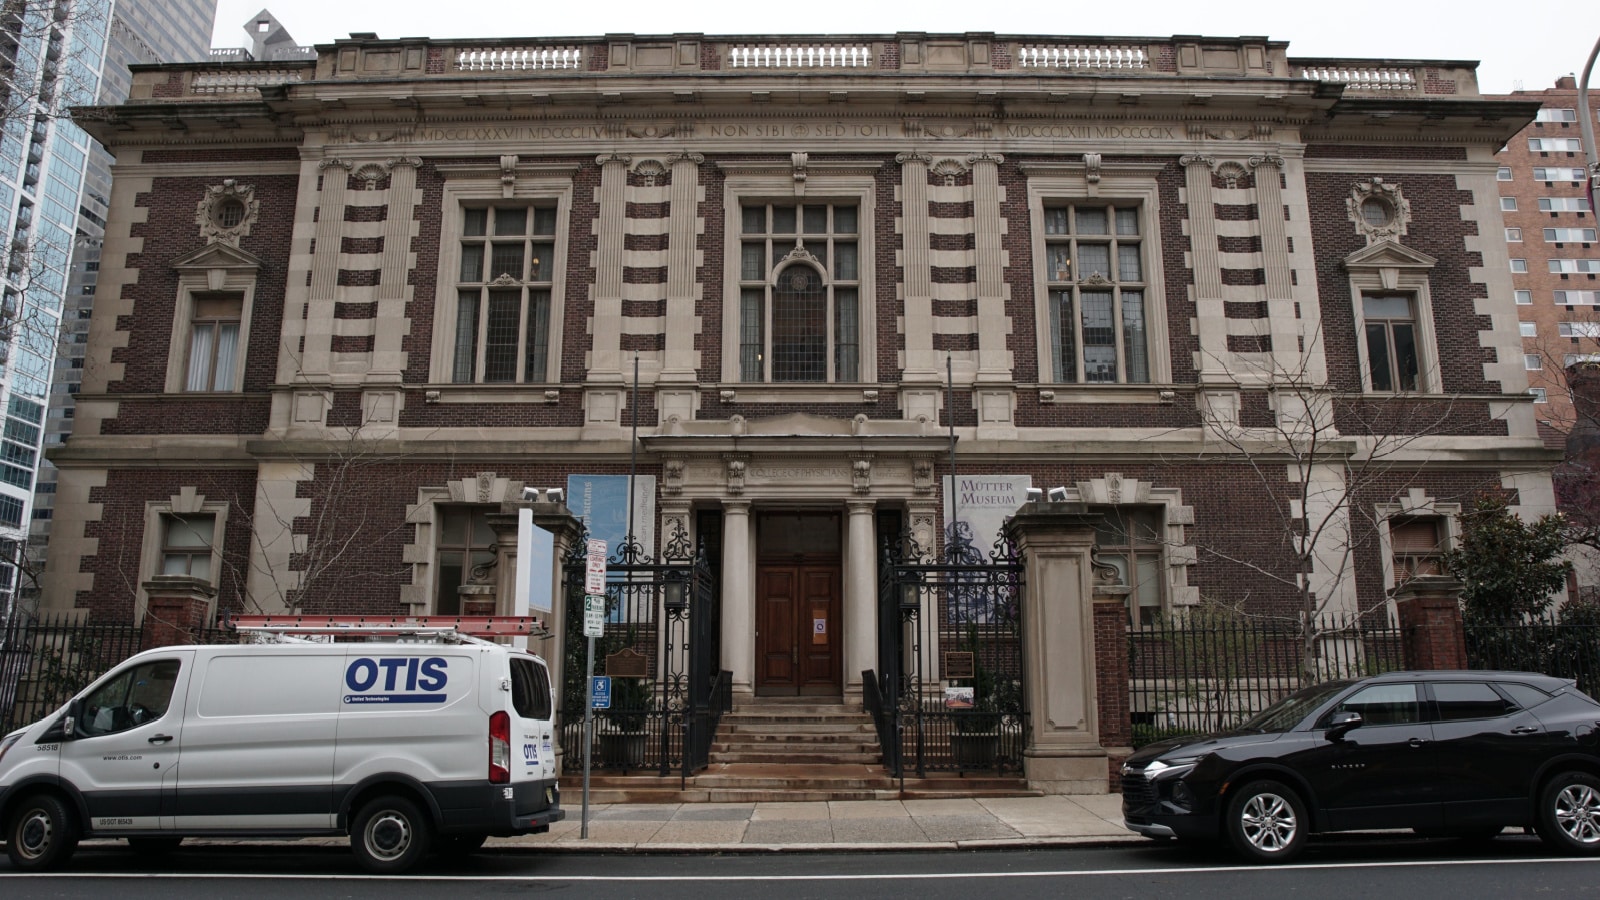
798, 643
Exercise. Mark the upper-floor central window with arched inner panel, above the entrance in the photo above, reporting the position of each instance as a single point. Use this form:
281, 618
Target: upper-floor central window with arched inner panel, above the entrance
801, 292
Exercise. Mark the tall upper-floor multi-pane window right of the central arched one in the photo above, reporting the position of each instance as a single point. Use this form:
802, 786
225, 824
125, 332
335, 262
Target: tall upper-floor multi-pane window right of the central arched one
1097, 281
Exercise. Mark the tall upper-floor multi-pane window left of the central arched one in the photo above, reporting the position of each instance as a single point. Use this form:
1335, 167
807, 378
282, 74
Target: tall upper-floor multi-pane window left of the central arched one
503, 295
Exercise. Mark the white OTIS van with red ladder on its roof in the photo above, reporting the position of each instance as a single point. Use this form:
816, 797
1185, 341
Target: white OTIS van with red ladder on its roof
412, 741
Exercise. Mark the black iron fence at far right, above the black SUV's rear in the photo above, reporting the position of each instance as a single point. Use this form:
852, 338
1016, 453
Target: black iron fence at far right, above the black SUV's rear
1550, 646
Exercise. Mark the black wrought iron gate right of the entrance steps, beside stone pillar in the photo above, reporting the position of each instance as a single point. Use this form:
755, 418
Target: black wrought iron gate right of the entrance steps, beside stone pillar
950, 694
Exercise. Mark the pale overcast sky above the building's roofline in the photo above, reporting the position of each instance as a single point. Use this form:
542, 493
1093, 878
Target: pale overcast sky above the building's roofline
1518, 44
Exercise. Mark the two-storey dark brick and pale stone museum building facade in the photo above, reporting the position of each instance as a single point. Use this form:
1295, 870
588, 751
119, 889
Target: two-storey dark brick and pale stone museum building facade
351, 308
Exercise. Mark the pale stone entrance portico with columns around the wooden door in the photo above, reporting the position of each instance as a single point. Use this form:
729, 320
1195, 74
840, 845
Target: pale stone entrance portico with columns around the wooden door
799, 611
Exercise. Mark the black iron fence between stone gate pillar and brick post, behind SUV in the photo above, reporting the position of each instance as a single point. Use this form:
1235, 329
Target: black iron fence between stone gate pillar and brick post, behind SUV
1206, 670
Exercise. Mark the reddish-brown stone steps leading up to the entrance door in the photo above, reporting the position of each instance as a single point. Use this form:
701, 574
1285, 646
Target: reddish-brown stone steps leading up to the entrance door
772, 750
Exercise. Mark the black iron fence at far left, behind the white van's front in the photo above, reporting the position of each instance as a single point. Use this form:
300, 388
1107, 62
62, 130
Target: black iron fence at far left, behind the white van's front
49, 659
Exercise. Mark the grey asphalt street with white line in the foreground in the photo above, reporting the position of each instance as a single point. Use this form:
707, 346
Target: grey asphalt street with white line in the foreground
1343, 867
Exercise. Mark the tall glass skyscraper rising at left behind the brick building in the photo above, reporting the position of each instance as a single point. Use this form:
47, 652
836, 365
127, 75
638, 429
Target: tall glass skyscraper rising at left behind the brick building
54, 190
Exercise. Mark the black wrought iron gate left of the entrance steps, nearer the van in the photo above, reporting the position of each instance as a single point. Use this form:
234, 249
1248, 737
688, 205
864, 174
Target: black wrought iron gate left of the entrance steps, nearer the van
662, 648
